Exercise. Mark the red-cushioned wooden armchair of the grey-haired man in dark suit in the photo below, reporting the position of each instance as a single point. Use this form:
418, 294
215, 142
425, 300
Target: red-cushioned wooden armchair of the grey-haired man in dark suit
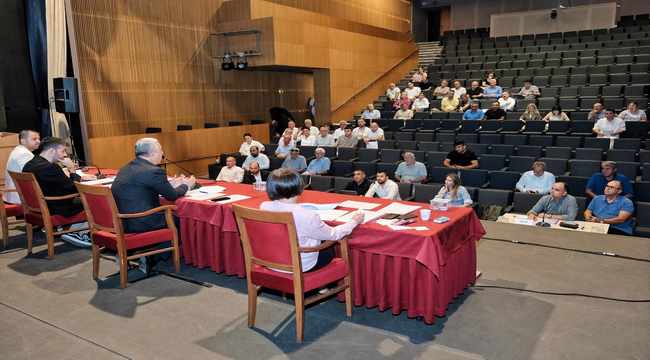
107, 231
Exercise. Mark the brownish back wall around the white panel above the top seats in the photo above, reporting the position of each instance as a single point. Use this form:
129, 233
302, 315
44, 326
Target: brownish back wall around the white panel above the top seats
472, 14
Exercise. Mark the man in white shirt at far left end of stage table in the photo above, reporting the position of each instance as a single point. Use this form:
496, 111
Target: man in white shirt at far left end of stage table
19, 156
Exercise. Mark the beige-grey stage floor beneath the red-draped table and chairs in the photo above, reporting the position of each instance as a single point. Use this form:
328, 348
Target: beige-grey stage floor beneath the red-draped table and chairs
52, 309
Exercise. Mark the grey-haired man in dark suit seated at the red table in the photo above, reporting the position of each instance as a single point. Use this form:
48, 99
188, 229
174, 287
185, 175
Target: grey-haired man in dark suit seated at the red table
140, 183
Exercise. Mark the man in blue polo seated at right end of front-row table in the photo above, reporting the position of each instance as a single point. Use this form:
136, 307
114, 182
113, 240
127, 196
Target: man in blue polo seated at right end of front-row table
613, 209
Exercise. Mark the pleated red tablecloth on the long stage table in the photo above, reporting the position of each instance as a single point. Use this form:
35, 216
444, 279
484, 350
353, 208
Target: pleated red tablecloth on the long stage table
417, 271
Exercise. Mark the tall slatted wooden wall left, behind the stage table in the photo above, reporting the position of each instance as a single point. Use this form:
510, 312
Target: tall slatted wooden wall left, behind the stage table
147, 63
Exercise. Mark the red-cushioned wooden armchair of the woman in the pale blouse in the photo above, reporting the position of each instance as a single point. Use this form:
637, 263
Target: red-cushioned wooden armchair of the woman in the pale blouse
270, 241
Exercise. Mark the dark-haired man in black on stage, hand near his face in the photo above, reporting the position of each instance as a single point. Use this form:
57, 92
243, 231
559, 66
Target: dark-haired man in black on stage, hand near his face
54, 182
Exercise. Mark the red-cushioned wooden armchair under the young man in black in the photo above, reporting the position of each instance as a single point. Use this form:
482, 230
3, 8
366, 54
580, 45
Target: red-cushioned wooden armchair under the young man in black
38, 214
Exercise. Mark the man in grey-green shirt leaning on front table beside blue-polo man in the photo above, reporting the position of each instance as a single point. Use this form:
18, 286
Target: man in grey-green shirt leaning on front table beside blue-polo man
556, 205
